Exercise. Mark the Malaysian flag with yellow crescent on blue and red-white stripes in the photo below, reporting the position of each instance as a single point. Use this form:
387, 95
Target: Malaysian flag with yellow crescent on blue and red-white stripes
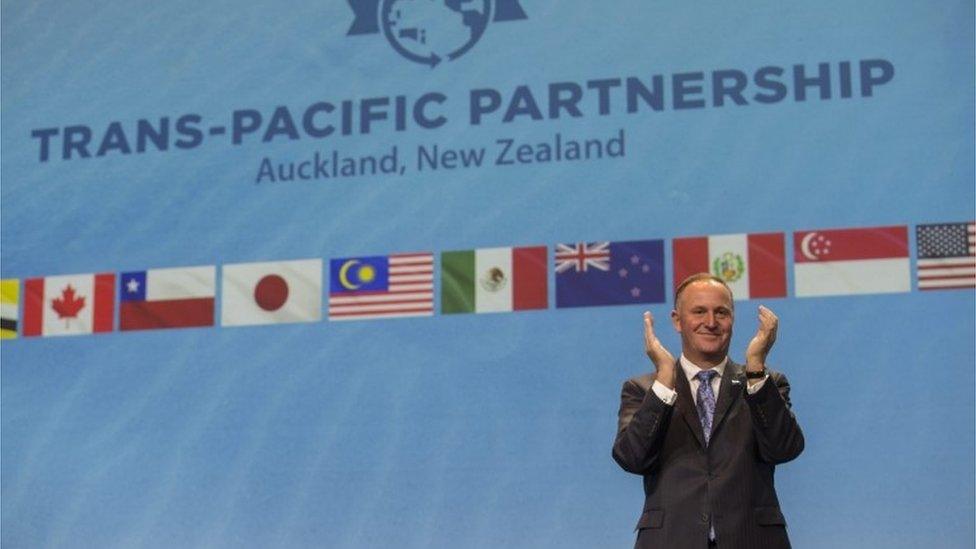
397, 285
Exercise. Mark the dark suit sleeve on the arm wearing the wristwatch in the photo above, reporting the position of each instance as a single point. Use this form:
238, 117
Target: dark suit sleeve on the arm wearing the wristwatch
777, 432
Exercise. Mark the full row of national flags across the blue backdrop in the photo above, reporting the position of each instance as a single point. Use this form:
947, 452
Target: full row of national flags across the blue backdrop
826, 262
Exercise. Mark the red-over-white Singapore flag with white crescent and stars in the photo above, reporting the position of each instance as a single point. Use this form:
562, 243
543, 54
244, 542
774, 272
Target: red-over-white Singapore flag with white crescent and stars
851, 261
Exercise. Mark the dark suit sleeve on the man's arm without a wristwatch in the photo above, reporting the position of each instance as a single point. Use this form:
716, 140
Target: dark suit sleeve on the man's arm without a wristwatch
641, 427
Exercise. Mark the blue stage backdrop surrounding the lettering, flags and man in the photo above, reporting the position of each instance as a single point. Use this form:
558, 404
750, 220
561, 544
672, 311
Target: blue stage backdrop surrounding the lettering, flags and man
469, 430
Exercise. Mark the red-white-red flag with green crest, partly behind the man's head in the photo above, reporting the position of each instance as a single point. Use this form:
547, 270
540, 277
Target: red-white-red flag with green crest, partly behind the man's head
753, 265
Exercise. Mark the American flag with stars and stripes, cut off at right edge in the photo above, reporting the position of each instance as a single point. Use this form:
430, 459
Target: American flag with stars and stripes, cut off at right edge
946, 255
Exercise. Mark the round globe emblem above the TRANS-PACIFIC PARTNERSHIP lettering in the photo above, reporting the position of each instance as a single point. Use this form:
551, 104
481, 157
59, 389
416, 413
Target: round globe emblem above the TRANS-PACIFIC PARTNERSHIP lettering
431, 31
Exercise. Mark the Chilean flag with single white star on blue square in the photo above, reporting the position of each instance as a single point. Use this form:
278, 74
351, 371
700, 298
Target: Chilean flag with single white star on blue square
167, 298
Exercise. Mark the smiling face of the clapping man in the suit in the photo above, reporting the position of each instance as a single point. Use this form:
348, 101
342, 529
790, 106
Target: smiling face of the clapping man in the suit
703, 316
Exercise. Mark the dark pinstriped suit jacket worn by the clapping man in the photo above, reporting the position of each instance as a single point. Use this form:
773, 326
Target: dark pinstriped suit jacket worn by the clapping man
729, 483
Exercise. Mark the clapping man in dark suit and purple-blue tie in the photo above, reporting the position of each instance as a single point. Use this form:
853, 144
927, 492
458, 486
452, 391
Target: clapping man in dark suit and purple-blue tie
706, 433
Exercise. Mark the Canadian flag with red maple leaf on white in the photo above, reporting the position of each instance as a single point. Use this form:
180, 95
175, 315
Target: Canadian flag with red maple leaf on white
69, 304
